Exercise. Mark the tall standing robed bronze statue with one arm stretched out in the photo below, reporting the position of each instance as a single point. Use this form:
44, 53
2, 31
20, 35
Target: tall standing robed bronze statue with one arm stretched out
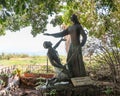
74, 56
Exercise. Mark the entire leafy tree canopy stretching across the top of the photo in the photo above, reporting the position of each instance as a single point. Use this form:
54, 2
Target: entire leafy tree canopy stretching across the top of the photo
100, 17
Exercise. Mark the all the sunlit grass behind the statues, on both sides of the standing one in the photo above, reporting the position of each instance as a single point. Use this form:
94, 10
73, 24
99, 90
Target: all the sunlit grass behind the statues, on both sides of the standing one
22, 62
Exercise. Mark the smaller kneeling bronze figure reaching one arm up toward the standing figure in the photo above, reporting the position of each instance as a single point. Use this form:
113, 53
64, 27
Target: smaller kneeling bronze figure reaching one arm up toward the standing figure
61, 71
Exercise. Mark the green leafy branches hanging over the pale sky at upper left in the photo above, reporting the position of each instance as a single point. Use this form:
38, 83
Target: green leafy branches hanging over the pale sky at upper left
17, 14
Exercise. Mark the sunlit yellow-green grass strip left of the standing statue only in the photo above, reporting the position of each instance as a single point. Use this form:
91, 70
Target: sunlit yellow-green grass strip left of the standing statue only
27, 61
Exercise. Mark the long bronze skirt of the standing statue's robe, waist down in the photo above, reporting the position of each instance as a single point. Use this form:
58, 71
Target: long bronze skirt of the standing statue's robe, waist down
75, 61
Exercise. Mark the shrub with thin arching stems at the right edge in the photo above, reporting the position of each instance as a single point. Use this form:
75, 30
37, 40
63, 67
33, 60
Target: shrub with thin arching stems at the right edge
111, 57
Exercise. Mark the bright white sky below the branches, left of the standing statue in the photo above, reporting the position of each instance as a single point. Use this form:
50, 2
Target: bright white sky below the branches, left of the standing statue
23, 42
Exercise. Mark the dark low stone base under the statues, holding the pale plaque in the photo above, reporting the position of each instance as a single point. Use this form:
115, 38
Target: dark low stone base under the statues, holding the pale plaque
68, 89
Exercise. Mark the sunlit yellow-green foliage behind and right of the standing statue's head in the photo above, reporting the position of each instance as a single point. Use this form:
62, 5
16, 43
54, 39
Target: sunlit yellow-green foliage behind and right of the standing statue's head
100, 17
